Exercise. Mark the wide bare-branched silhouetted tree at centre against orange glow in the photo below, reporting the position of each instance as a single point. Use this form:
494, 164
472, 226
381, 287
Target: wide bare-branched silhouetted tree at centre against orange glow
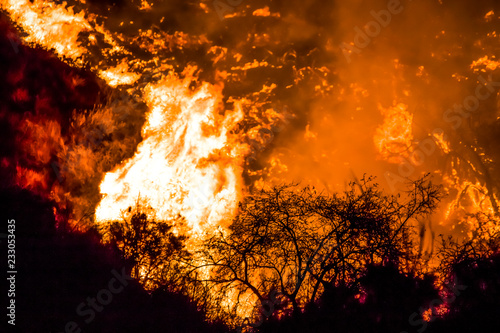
300, 242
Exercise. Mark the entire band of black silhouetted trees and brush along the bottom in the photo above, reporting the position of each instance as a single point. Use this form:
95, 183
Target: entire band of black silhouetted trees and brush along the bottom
362, 274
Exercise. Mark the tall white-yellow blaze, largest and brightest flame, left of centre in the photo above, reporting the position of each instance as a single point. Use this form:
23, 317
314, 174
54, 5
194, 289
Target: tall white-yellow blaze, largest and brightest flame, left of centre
188, 163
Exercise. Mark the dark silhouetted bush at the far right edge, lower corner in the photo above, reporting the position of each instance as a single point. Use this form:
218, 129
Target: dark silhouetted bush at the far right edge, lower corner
471, 266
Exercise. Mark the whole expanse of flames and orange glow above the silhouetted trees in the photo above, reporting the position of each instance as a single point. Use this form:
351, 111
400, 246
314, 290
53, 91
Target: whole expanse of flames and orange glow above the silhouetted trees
208, 137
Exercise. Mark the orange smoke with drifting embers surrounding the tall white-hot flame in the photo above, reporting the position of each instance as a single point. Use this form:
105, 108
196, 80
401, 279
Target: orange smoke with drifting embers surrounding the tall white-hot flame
316, 82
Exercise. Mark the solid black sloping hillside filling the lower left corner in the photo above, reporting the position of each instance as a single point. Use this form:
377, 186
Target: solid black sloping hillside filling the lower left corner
59, 269
